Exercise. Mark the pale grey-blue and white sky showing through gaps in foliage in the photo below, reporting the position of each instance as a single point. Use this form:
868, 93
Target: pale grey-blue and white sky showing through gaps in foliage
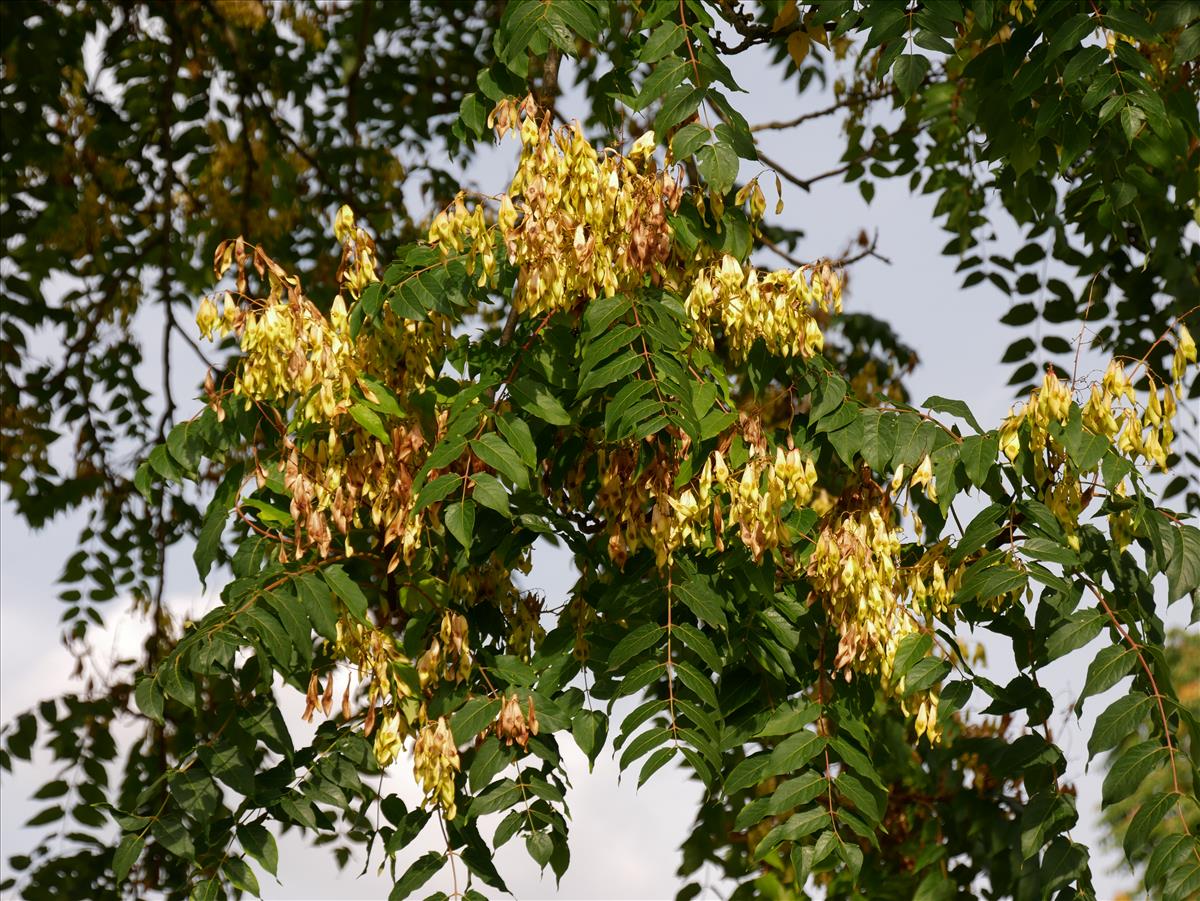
625, 843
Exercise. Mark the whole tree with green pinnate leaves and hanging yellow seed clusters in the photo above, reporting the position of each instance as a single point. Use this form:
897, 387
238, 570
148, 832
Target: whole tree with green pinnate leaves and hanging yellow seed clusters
769, 551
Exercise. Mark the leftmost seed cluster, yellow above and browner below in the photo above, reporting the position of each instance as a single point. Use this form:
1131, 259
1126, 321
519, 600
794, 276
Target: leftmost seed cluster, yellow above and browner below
309, 367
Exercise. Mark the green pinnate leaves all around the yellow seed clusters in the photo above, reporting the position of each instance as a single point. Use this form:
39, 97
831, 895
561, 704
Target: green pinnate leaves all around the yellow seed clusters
807, 776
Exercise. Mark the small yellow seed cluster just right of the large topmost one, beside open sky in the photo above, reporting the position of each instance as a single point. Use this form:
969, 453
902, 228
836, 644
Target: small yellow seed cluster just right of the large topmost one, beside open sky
775, 307
